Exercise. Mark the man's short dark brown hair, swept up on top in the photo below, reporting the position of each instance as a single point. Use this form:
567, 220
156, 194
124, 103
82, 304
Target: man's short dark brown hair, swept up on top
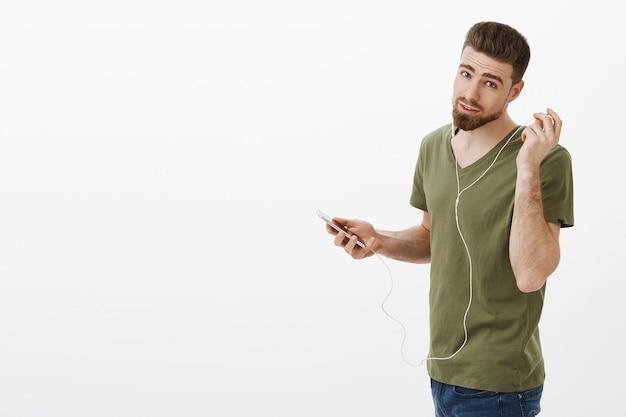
502, 43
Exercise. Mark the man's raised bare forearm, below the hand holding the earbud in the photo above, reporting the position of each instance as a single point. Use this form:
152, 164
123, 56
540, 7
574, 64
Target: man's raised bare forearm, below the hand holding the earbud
534, 246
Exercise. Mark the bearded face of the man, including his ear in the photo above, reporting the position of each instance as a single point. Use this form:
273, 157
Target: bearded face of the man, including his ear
482, 90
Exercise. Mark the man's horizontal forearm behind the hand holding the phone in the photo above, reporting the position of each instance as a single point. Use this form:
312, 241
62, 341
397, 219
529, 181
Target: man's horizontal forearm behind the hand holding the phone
410, 245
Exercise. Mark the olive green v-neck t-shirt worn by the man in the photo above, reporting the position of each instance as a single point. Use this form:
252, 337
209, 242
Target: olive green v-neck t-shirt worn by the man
503, 349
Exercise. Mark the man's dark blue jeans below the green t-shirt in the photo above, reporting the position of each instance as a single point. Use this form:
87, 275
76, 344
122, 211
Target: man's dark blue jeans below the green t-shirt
451, 401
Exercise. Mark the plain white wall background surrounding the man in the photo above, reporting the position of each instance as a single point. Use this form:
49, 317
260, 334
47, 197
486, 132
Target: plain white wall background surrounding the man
160, 167
